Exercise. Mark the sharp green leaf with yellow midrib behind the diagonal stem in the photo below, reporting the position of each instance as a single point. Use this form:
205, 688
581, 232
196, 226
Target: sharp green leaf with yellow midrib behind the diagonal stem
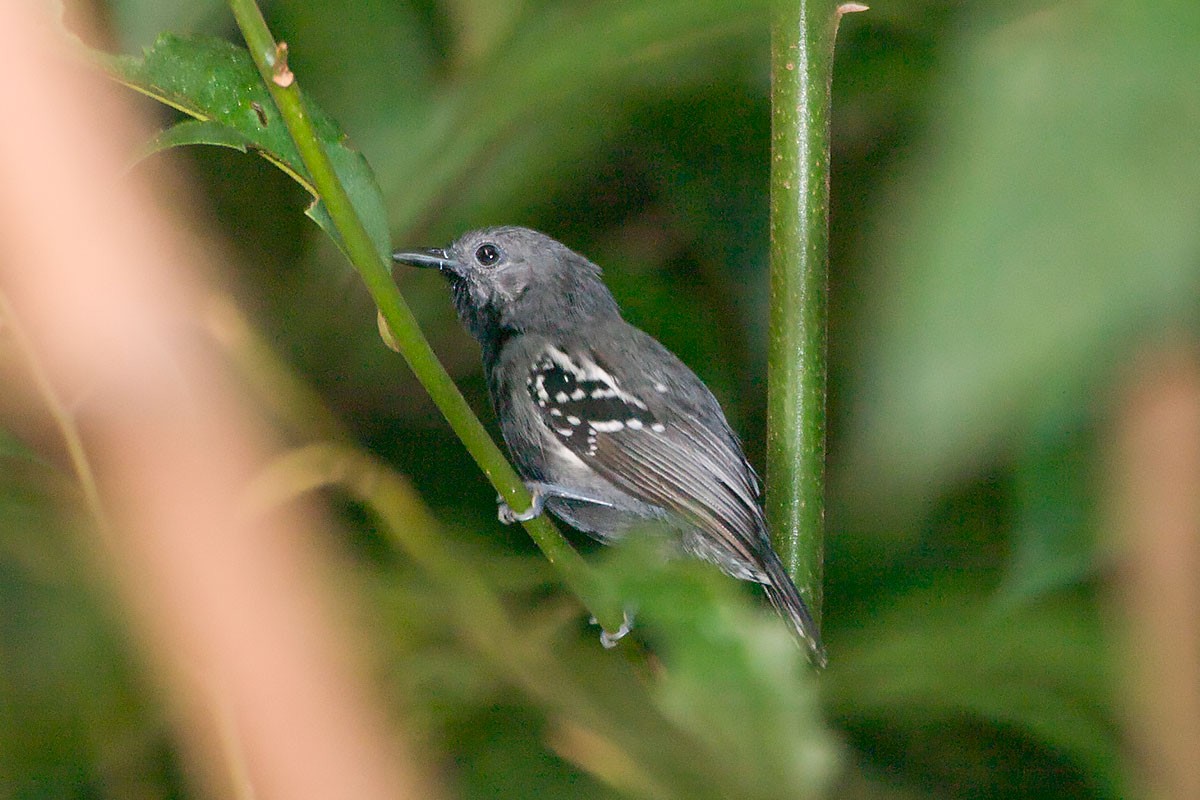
217, 83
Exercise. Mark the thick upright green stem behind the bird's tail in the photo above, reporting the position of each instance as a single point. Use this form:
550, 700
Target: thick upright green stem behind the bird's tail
802, 68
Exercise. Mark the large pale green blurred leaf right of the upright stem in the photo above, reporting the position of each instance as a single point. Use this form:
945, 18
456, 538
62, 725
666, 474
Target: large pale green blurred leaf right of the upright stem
1049, 220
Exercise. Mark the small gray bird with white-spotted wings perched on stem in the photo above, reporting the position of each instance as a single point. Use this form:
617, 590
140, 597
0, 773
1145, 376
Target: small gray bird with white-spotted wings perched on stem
607, 426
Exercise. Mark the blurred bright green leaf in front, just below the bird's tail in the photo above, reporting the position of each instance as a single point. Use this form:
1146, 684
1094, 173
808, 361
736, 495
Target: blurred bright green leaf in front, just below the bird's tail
735, 677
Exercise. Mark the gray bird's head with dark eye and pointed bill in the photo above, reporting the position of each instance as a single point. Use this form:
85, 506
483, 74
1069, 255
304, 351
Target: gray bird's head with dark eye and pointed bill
514, 280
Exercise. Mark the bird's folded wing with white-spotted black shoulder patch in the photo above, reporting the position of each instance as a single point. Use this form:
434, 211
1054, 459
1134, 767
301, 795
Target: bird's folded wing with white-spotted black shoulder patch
664, 443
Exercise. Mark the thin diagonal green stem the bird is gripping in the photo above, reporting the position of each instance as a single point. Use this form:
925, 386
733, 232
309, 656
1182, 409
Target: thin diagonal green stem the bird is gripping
376, 274
